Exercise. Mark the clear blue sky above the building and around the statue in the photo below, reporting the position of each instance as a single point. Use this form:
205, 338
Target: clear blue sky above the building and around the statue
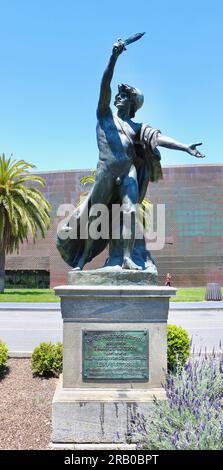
52, 56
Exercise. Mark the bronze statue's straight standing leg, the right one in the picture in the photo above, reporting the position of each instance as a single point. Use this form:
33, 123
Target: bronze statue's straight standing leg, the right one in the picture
129, 196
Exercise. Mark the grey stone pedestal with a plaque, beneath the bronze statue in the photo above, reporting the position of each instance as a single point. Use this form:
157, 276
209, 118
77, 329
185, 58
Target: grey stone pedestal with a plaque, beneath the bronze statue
98, 410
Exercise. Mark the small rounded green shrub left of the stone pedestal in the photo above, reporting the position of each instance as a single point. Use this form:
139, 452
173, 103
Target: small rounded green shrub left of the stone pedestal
47, 359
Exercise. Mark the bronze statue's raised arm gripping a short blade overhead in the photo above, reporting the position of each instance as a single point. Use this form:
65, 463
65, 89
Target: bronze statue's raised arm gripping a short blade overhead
105, 91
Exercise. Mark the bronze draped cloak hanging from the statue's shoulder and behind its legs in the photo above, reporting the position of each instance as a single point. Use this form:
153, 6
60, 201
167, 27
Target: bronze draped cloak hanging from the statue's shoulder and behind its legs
147, 163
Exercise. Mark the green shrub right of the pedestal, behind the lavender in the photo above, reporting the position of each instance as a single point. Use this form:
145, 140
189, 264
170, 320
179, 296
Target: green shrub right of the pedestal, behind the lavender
178, 347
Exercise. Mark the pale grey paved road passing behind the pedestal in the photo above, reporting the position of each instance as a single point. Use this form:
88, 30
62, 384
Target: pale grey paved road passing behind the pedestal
23, 329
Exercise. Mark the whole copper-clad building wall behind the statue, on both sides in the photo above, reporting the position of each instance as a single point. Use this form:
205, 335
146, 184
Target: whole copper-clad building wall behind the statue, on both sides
192, 252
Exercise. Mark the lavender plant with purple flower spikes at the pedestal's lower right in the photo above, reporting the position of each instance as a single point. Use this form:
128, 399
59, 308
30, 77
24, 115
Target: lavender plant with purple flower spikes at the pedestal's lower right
192, 417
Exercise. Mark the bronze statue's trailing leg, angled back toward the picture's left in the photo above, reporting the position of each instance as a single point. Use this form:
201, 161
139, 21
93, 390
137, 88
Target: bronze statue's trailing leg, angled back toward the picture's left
101, 194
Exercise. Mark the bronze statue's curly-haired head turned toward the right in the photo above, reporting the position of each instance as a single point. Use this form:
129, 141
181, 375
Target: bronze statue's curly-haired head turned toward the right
129, 97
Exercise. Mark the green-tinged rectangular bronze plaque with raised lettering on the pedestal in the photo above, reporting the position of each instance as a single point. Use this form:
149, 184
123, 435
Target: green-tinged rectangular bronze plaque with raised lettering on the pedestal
115, 355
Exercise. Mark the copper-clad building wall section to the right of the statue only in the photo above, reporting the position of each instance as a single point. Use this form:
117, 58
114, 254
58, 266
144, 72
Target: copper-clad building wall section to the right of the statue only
194, 224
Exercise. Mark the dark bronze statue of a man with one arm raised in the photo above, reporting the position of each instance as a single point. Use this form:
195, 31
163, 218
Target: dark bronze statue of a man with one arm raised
128, 159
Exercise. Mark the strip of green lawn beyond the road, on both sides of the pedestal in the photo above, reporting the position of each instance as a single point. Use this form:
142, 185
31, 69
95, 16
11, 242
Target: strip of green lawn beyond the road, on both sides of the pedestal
190, 294
